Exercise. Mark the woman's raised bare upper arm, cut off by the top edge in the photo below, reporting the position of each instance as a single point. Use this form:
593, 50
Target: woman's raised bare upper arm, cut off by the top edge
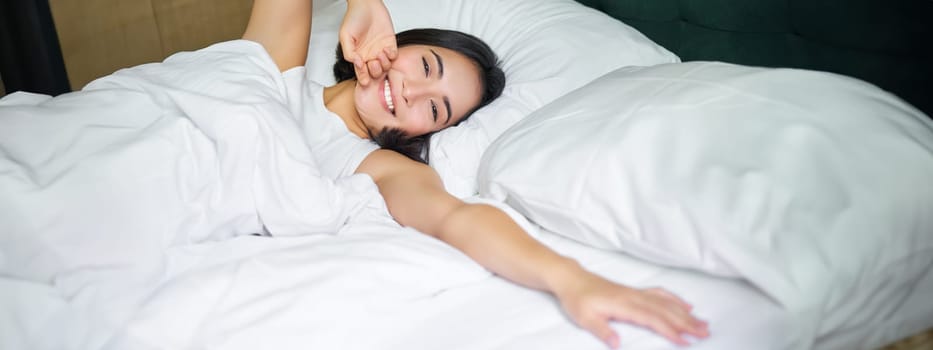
283, 28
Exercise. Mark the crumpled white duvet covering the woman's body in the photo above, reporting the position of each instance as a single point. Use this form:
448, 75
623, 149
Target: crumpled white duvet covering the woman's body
97, 186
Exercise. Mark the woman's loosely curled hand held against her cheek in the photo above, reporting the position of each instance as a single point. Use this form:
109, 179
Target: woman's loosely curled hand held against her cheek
368, 39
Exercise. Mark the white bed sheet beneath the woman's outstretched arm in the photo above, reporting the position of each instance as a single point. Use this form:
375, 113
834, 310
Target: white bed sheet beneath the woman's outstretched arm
370, 287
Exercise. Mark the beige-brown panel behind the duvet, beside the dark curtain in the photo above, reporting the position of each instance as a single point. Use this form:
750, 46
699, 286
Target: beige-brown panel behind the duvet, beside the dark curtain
98, 37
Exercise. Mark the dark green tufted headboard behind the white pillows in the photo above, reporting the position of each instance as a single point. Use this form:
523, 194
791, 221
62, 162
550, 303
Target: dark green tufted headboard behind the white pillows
885, 42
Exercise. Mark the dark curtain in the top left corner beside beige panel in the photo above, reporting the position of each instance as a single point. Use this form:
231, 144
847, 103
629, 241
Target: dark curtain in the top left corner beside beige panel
30, 57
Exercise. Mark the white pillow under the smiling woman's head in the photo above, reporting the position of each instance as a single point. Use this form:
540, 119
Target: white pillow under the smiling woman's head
547, 48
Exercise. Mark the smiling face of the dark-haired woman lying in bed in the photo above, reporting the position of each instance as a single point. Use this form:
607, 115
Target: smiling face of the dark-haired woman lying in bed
427, 89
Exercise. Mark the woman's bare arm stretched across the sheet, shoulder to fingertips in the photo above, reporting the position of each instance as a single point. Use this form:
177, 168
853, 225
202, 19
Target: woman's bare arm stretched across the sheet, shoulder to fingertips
416, 198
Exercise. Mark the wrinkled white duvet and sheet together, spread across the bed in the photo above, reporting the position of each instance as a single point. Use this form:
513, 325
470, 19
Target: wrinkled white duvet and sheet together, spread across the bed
177, 205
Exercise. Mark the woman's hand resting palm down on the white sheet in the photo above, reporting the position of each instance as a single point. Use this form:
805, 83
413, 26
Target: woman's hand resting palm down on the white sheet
592, 302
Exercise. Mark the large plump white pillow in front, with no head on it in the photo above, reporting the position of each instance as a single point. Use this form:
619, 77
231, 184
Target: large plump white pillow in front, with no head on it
815, 187
